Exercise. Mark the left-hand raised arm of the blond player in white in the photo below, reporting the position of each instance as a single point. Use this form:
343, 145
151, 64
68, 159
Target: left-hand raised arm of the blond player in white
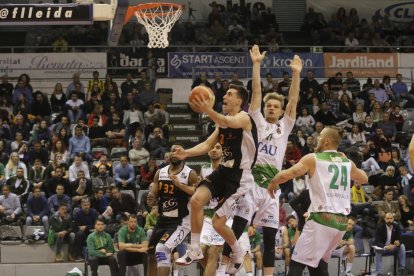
257, 58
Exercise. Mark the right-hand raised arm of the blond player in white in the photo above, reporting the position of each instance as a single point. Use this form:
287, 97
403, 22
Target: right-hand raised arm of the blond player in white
296, 67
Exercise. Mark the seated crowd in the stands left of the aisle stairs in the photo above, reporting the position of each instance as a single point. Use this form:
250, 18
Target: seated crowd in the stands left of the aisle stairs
83, 152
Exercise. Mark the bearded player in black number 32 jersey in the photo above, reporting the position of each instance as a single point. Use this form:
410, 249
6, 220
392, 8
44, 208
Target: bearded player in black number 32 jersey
173, 186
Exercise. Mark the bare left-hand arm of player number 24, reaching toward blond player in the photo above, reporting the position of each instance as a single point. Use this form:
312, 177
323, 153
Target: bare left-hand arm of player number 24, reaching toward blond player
304, 165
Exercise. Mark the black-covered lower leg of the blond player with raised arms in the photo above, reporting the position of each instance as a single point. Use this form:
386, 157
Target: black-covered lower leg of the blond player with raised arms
269, 243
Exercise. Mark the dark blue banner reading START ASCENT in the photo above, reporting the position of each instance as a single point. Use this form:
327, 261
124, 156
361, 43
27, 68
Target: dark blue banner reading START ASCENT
181, 65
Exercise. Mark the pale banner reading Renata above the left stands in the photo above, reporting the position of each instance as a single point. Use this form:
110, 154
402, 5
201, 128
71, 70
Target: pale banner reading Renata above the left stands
52, 65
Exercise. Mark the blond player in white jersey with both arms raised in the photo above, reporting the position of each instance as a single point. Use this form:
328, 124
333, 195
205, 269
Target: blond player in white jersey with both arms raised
273, 135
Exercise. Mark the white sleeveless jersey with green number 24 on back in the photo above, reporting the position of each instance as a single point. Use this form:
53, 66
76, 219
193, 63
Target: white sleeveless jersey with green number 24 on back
329, 186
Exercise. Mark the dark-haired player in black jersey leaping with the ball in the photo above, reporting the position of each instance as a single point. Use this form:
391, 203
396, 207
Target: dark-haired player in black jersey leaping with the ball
236, 132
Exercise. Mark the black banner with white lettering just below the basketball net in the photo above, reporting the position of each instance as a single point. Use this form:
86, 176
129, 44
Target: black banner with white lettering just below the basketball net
133, 61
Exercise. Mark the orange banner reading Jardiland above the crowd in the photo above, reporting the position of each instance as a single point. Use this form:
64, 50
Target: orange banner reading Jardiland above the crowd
361, 64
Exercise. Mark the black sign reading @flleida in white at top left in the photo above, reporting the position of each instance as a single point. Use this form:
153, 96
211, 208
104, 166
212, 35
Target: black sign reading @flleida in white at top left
46, 14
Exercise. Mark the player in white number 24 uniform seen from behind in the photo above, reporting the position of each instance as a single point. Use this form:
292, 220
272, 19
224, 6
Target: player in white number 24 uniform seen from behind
330, 175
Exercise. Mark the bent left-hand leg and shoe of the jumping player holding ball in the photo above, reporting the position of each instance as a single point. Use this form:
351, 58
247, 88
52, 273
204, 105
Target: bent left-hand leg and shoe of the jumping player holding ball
200, 198
